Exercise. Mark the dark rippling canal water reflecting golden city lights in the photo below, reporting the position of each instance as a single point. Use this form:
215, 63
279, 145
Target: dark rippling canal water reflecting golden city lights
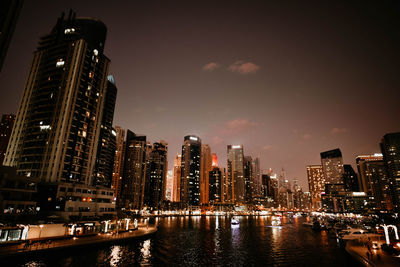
210, 241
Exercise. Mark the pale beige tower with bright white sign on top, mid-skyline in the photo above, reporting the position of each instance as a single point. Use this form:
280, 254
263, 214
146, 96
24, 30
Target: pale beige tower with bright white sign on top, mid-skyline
236, 183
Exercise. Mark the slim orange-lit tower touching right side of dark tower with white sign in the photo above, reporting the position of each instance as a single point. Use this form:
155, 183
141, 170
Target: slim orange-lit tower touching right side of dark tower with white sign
205, 168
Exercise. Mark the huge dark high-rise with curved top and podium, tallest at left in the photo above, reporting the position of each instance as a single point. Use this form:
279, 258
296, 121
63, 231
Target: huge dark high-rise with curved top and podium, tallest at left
58, 124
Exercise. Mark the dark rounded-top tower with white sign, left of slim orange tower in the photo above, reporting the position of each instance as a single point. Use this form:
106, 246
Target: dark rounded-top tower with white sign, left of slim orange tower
190, 171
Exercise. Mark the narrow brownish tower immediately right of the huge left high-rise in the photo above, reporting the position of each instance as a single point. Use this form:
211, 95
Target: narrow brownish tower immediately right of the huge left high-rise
118, 161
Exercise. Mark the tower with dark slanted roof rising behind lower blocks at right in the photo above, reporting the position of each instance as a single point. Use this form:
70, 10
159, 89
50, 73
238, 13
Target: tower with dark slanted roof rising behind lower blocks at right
332, 166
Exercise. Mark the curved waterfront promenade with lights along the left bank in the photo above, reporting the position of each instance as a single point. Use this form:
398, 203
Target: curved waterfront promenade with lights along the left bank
50, 245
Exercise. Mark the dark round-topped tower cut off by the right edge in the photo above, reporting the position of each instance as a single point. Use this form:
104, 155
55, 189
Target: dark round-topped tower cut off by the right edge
390, 146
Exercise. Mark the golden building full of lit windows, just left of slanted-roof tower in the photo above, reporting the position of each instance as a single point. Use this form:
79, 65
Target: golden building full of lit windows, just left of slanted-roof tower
316, 184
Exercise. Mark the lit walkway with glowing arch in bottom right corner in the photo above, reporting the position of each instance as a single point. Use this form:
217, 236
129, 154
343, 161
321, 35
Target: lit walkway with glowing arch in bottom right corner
376, 257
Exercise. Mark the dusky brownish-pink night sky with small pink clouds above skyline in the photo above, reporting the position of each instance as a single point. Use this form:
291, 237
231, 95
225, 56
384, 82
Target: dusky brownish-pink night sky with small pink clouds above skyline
287, 79
